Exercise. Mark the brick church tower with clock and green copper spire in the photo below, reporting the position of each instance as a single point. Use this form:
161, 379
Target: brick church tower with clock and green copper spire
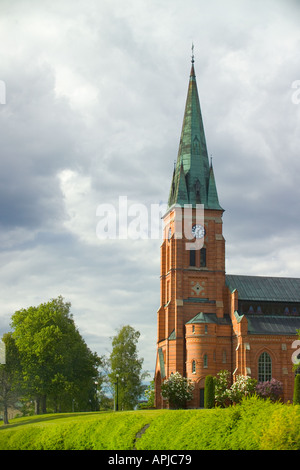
193, 333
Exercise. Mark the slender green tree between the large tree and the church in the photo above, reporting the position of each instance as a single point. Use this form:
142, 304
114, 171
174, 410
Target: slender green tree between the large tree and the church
126, 368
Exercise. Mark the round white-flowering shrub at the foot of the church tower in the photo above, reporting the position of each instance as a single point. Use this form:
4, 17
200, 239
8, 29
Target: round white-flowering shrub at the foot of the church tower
177, 390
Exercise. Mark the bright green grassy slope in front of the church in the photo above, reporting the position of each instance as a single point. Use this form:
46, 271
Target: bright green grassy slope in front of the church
254, 424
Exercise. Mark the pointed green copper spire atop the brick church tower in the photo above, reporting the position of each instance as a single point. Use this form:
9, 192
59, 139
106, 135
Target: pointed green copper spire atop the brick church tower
193, 178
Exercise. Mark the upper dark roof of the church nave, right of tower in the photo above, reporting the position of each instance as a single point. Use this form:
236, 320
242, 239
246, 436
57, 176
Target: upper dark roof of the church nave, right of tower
271, 289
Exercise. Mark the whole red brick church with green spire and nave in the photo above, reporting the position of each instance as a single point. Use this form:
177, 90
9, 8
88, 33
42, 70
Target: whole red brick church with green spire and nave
209, 320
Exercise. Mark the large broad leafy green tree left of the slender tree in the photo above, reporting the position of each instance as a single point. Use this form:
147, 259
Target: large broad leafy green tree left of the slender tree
55, 361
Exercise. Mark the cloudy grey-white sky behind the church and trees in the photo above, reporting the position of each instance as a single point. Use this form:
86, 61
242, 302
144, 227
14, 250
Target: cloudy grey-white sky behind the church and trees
92, 96
